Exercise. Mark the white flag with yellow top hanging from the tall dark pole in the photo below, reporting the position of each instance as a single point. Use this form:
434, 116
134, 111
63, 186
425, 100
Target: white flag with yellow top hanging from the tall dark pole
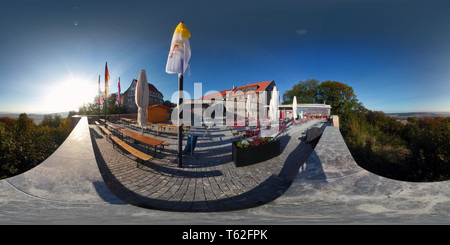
180, 51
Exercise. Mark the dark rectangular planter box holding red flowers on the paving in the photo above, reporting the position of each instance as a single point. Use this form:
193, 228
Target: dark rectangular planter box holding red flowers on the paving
255, 154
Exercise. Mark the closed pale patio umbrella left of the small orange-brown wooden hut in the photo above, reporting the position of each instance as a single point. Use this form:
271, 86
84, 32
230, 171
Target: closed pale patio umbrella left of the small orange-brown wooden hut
141, 98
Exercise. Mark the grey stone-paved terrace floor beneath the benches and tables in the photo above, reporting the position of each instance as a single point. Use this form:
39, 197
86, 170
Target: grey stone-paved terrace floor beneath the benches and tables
211, 183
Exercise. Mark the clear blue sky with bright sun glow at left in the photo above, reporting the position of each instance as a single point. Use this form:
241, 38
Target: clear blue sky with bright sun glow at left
394, 53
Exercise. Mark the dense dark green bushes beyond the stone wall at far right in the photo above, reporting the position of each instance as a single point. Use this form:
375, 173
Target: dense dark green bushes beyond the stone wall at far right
417, 151
